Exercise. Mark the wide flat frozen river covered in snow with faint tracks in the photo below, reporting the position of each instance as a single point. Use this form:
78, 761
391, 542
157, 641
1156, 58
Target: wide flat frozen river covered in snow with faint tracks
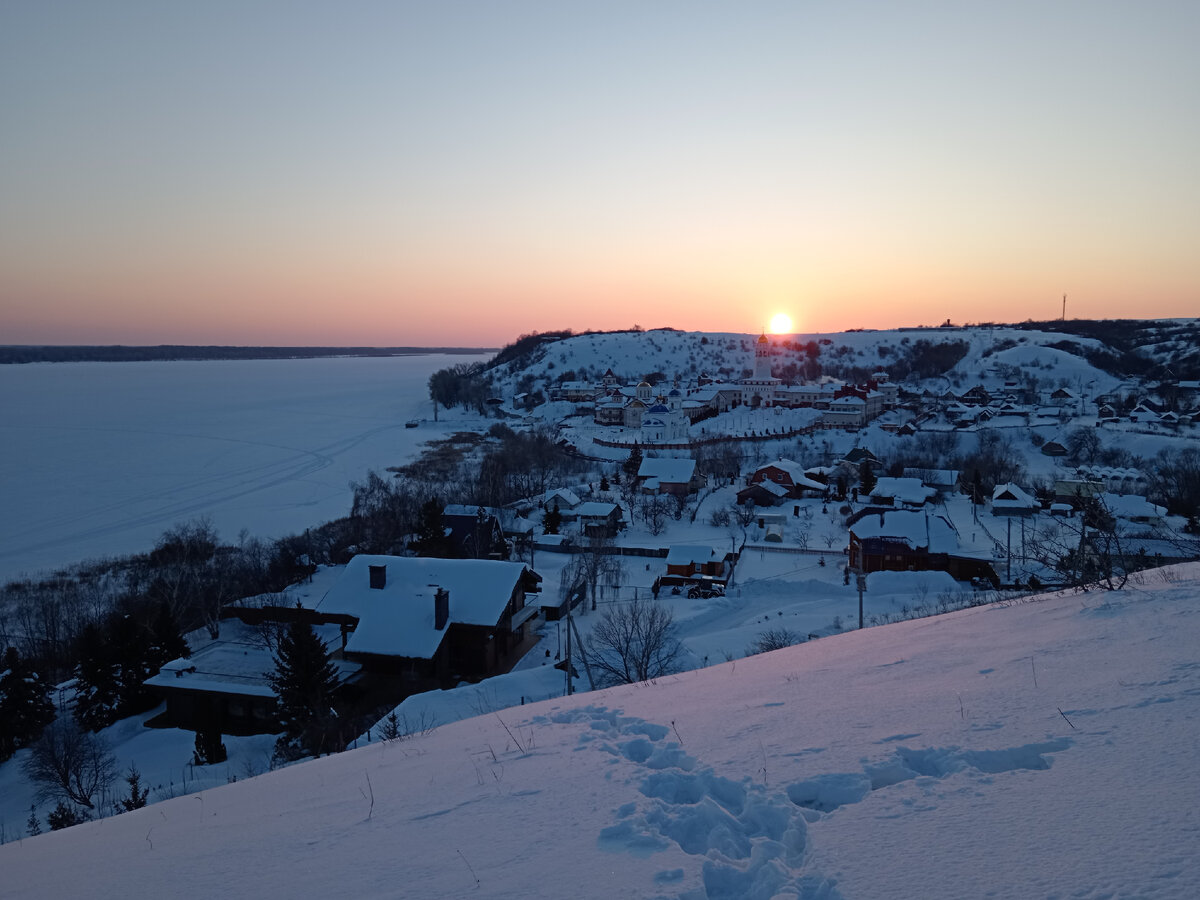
99, 459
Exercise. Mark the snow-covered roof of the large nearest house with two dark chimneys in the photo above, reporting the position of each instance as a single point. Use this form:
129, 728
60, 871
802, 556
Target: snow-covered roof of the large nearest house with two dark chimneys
398, 619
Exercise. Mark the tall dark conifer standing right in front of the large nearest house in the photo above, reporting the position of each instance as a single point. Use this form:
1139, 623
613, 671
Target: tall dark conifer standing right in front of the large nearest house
305, 681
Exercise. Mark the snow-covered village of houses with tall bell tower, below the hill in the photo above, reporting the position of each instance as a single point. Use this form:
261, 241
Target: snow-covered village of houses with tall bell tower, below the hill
842, 538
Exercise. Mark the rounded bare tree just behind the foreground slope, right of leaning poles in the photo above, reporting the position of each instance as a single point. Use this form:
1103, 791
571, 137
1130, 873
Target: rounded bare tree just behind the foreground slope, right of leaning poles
635, 643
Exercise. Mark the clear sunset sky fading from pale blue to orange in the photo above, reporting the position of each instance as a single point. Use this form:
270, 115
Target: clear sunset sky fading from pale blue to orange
459, 173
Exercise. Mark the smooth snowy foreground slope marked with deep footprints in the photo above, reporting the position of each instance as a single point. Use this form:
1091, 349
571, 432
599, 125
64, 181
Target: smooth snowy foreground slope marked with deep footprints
1047, 748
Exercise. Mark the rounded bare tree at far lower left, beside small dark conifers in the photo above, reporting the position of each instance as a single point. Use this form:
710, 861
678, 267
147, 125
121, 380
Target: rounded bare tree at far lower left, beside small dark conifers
71, 765
